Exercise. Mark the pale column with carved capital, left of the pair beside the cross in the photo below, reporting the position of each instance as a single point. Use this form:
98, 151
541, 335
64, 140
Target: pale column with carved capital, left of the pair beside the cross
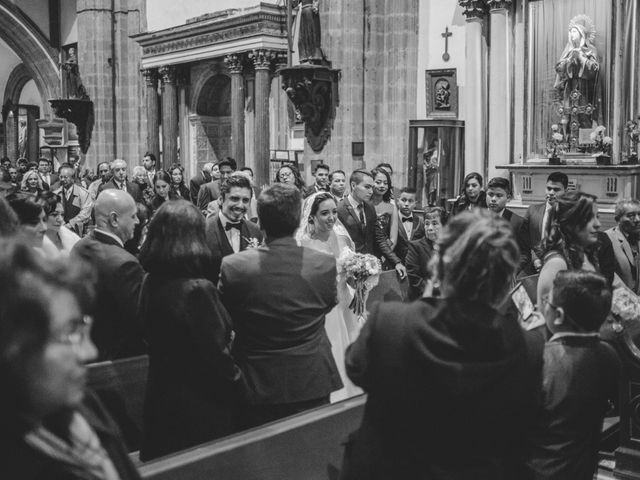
475, 136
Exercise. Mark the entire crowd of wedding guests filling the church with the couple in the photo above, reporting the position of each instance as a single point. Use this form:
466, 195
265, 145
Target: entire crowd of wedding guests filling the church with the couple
236, 297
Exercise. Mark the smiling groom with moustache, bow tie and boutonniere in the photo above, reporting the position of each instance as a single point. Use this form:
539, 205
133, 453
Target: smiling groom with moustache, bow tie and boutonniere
228, 232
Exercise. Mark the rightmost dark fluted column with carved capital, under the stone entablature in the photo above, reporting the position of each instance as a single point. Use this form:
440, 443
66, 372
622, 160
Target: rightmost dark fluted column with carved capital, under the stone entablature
262, 63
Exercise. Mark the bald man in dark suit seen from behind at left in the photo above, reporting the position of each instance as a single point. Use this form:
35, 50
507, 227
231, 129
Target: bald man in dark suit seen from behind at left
115, 332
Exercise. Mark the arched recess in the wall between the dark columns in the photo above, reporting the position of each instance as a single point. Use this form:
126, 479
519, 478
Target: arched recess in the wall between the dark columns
210, 126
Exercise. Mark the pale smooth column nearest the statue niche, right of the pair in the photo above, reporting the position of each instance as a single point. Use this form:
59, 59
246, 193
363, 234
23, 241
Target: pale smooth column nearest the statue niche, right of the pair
500, 67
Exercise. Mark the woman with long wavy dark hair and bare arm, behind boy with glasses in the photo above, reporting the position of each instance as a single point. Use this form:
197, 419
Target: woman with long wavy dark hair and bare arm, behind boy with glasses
570, 239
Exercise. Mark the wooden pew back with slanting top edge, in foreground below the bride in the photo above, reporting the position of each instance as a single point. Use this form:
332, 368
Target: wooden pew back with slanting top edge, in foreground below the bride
307, 446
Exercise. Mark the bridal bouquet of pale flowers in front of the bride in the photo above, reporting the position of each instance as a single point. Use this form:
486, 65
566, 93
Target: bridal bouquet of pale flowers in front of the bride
361, 271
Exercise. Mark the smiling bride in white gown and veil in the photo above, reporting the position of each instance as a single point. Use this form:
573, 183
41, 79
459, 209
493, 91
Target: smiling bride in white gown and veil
321, 230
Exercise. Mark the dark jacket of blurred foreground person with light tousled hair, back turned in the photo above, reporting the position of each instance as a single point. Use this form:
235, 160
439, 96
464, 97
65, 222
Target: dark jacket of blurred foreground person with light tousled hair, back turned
450, 385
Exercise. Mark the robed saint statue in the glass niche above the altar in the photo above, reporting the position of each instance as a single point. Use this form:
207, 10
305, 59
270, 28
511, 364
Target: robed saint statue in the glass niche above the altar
577, 73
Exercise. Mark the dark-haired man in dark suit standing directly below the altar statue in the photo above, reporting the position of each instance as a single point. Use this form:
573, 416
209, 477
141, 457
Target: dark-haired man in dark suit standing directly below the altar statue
535, 221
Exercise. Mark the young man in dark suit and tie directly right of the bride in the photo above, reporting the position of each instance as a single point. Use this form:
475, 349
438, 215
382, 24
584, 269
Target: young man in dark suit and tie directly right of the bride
356, 213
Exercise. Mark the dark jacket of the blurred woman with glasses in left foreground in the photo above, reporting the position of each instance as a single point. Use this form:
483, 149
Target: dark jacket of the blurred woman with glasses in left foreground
20, 461
